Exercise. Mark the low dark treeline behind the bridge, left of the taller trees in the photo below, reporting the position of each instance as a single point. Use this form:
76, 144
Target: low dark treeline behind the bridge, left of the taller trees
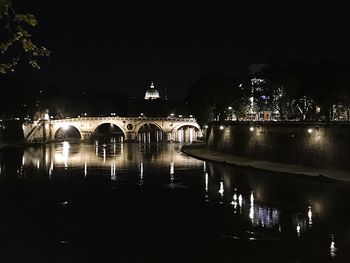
22, 100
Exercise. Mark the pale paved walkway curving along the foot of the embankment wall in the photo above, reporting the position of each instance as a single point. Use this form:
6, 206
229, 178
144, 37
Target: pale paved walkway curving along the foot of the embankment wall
198, 150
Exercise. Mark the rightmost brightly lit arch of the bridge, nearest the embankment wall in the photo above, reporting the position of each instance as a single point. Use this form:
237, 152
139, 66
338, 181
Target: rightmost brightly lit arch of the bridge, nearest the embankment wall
186, 132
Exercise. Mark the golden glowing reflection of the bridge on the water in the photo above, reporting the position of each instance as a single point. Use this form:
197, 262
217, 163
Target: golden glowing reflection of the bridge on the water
110, 156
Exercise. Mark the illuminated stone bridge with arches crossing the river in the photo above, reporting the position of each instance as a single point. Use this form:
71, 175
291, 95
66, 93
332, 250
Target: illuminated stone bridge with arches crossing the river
141, 129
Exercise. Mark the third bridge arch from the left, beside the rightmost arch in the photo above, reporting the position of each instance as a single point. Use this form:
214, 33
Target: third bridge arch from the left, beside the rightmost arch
149, 132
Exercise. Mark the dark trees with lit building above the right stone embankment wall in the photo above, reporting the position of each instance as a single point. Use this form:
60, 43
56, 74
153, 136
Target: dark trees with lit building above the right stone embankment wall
295, 90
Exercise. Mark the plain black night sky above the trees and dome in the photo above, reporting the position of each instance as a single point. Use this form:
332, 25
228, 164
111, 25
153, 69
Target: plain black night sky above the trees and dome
124, 45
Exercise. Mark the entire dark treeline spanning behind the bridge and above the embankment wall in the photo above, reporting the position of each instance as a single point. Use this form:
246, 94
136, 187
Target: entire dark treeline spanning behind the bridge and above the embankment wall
293, 89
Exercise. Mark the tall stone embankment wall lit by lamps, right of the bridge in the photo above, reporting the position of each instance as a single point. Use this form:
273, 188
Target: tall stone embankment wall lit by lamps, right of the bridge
312, 144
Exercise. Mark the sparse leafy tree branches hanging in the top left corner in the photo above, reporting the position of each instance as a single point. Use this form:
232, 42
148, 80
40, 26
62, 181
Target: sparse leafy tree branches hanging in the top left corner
18, 44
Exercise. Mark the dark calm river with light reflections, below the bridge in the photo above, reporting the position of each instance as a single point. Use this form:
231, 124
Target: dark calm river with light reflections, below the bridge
107, 201
